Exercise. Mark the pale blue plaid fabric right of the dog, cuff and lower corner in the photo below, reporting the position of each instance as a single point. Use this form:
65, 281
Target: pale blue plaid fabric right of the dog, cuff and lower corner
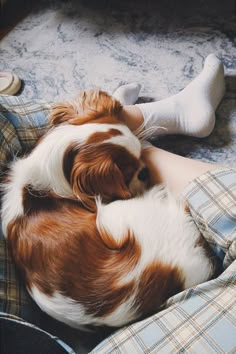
201, 319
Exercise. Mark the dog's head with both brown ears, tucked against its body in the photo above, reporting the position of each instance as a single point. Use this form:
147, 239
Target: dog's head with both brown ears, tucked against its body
107, 160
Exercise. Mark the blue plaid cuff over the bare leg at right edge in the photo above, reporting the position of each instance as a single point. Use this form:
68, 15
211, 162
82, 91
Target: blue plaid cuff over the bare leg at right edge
212, 202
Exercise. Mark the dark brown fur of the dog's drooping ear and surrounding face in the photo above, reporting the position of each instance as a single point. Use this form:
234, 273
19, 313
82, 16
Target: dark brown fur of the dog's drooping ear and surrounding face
101, 169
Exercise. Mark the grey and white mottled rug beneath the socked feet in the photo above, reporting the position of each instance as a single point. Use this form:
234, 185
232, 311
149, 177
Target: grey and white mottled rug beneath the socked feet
62, 47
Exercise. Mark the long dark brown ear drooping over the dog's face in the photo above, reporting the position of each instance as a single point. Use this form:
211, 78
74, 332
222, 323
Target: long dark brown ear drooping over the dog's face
93, 173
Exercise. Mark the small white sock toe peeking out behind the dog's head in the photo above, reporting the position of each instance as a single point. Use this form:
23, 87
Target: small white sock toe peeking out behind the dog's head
127, 94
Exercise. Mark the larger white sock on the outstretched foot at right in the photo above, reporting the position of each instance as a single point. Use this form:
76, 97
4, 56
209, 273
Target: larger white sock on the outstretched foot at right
192, 110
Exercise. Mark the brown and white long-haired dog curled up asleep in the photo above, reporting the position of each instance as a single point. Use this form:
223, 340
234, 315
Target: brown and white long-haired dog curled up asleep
86, 262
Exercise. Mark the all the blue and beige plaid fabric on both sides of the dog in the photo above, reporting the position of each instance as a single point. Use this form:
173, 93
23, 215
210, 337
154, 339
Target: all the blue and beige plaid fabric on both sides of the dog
198, 320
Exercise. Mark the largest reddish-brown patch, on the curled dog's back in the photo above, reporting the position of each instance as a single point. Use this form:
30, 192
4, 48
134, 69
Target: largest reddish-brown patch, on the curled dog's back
58, 248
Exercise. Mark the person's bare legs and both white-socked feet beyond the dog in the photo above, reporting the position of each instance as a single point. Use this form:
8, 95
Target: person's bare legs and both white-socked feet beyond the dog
190, 112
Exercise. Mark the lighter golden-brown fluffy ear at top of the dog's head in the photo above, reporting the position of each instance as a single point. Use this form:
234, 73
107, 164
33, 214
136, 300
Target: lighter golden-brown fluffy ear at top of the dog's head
90, 106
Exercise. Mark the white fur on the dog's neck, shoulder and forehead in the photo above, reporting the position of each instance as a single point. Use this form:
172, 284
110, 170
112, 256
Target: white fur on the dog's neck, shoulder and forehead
43, 167
